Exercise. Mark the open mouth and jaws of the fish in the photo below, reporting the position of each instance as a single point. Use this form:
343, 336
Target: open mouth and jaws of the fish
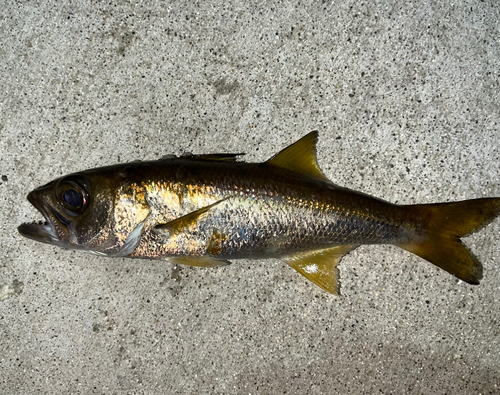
50, 231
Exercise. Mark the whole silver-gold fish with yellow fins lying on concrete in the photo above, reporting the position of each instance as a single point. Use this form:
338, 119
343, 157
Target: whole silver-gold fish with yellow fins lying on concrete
207, 210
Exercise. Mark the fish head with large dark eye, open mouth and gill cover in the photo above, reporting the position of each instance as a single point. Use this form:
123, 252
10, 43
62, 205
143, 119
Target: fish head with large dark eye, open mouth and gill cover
92, 211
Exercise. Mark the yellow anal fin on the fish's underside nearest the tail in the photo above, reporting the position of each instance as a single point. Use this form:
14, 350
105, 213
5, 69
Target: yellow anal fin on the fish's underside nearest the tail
320, 266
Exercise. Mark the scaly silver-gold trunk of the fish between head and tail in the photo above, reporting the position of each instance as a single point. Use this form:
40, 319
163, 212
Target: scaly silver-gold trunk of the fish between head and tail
256, 211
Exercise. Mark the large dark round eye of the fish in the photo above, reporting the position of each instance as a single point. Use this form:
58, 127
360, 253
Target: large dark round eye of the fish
72, 194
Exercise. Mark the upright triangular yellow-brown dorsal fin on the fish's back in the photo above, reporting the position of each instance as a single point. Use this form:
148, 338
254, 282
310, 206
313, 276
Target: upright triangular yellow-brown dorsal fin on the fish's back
300, 157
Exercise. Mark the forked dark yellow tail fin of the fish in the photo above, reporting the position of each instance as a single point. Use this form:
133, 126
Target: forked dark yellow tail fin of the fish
439, 228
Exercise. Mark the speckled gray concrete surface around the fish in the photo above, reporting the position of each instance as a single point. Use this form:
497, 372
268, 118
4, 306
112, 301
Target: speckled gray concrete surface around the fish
406, 98
